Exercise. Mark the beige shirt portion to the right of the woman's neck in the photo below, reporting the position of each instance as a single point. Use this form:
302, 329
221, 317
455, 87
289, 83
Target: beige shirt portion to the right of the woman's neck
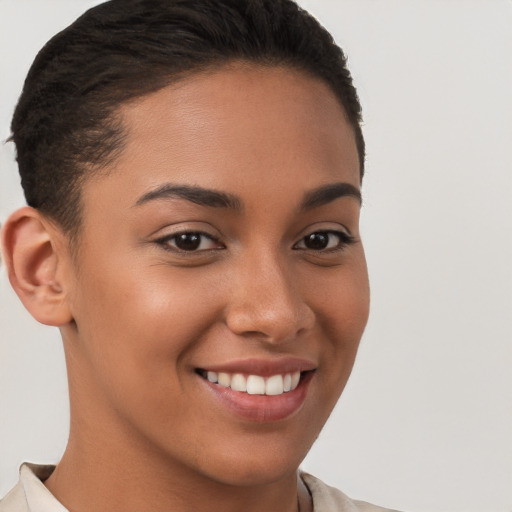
329, 499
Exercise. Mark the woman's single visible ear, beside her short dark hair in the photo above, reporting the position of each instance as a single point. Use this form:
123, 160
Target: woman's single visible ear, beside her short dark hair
32, 254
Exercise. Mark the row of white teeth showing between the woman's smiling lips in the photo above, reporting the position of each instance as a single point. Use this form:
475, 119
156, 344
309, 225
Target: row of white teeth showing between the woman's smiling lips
273, 385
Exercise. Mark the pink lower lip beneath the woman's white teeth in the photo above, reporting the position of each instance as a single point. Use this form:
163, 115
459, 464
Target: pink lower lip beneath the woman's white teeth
262, 408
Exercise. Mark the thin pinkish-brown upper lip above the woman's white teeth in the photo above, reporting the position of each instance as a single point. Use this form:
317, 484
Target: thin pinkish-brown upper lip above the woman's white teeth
263, 367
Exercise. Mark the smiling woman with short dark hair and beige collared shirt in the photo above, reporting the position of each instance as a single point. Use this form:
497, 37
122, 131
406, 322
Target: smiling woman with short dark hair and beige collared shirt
193, 172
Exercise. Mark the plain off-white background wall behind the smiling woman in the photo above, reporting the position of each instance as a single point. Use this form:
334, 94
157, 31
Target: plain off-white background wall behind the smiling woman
425, 423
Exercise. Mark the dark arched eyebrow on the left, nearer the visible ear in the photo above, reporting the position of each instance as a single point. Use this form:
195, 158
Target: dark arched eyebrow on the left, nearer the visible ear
195, 194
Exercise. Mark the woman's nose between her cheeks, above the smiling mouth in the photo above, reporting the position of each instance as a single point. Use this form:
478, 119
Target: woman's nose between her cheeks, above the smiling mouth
266, 302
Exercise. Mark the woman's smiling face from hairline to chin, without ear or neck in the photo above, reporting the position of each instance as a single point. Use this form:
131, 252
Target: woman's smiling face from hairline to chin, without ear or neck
220, 290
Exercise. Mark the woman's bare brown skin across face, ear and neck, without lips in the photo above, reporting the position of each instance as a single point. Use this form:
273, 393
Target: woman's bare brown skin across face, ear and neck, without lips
138, 316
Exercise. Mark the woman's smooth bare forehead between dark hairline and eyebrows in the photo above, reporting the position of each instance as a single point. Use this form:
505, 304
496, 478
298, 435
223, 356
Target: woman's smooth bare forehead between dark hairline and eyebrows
237, 127
